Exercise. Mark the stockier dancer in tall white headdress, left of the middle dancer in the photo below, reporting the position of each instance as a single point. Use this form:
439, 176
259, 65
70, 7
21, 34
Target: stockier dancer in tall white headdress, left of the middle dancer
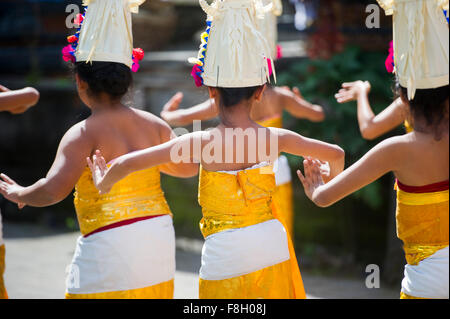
127, 247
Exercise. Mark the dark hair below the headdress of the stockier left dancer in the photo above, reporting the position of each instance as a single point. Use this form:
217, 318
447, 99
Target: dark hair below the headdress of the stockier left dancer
111, 78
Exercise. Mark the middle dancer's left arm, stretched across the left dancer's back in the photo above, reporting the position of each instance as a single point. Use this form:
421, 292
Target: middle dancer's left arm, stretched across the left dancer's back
178, 150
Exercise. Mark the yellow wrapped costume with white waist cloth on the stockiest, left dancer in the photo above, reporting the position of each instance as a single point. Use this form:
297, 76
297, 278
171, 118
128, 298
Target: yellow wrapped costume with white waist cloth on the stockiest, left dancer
128, 246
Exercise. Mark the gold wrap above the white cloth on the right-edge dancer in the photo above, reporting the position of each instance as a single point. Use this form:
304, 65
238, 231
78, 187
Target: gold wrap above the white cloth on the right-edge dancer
422, 223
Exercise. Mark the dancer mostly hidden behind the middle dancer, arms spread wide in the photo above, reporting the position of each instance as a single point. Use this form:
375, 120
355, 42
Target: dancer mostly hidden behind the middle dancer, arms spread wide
268, 112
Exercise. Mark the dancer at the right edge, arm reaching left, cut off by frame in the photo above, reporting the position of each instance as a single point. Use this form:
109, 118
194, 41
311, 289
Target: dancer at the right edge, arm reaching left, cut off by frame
418, 158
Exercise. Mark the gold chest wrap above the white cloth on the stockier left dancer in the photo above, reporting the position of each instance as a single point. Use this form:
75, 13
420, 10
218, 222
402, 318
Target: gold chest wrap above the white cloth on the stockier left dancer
137, 195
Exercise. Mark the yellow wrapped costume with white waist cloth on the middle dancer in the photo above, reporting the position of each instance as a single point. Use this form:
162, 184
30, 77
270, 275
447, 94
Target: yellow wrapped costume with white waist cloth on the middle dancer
234, 205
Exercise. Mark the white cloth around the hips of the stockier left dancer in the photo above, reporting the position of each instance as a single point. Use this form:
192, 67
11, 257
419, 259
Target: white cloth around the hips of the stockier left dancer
130, 257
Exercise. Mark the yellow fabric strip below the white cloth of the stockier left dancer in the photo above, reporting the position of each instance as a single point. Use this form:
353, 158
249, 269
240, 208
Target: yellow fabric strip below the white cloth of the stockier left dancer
164, 290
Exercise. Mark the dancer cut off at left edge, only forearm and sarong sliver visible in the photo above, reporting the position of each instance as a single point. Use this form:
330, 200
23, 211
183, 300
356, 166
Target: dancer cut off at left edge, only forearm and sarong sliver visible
15, 102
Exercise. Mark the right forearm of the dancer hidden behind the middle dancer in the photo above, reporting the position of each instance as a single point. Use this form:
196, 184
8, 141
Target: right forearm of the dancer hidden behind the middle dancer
294, 103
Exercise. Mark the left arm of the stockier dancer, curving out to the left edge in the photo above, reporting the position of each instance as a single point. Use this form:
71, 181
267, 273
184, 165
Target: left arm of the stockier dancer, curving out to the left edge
60, 180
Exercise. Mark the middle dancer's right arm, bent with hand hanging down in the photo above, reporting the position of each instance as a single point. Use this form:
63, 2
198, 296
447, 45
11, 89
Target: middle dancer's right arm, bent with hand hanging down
293, 143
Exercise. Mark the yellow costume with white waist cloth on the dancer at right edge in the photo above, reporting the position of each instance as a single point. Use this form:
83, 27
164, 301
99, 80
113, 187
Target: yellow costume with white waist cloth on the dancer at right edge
423, 225
